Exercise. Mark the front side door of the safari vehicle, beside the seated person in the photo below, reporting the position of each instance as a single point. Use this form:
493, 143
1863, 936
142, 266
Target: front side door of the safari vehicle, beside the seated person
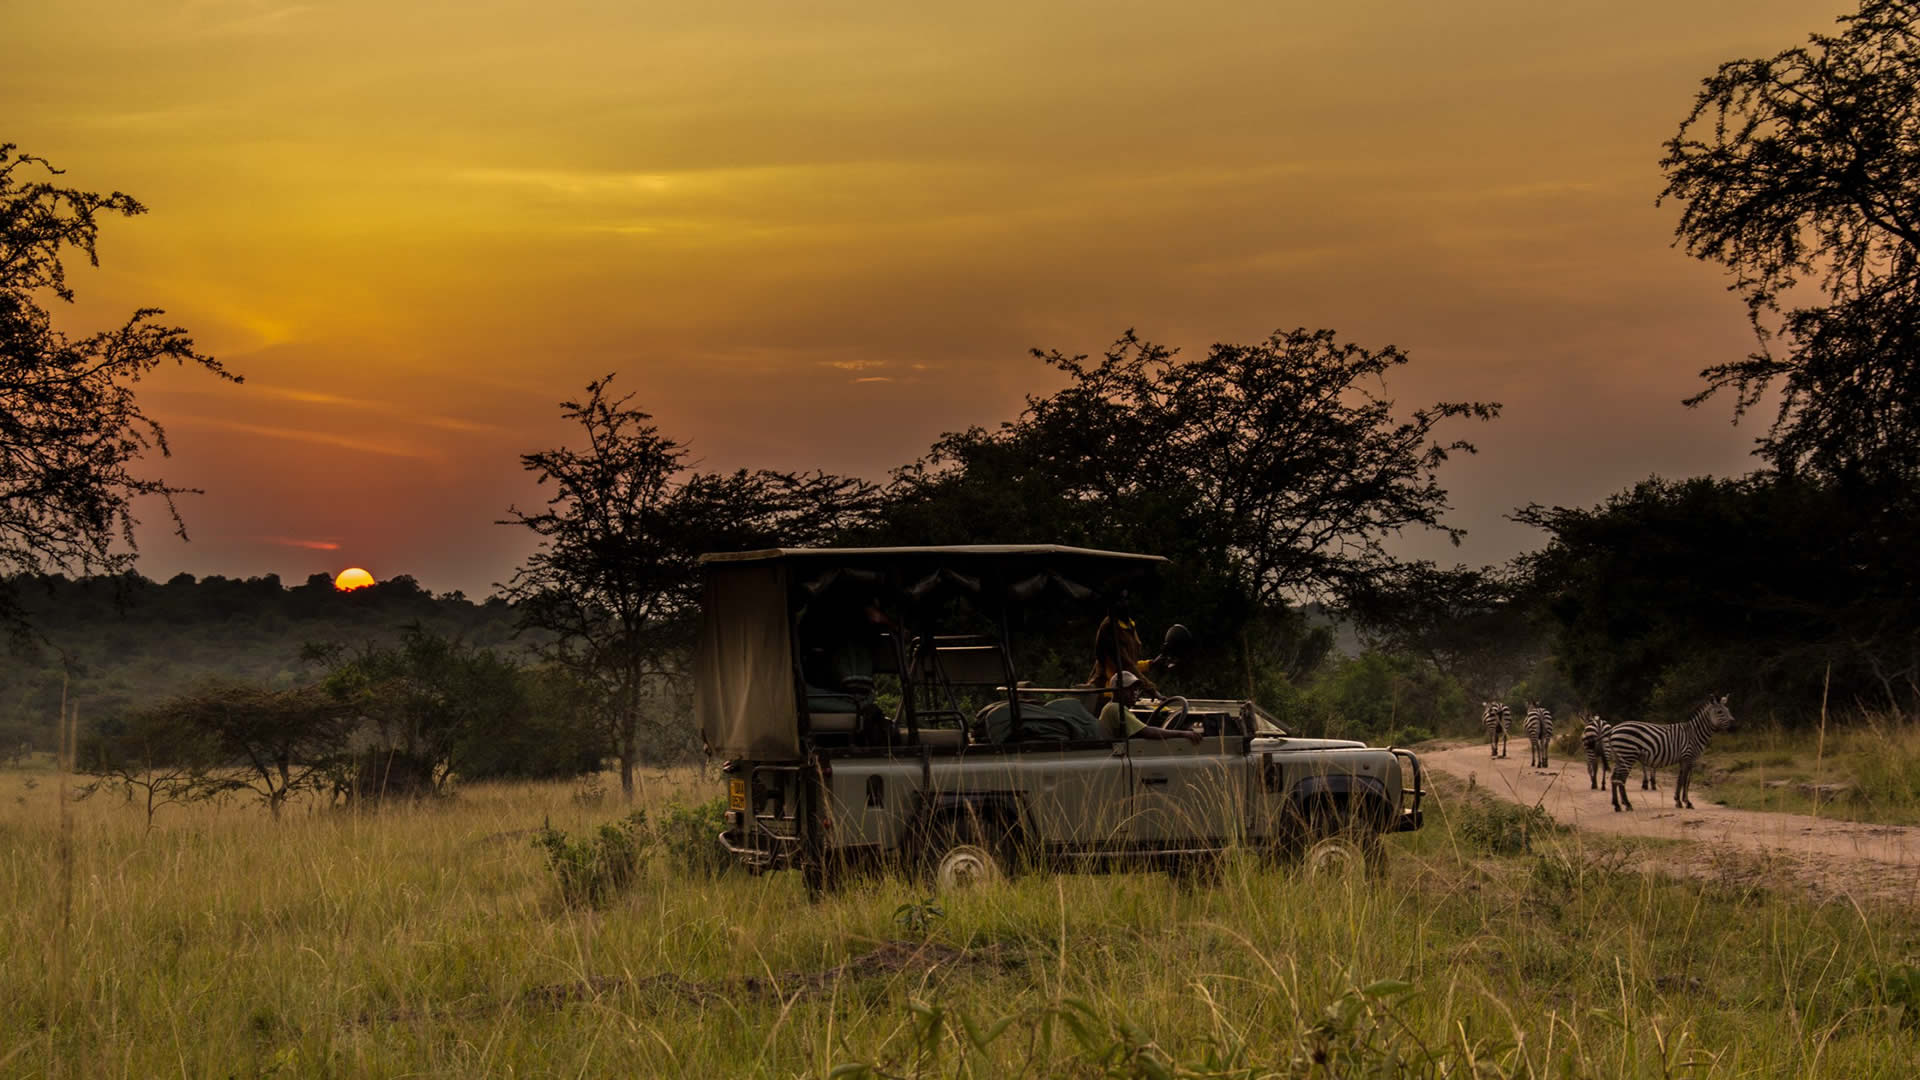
1188, 795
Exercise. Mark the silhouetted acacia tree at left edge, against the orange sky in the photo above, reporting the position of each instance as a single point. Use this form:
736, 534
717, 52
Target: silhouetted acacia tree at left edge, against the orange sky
70, 424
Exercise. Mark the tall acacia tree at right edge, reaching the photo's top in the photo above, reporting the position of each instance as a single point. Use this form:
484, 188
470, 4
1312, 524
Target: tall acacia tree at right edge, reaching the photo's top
1802, 176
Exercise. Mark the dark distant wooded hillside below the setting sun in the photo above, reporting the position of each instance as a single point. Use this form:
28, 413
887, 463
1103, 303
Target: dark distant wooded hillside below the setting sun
128, 643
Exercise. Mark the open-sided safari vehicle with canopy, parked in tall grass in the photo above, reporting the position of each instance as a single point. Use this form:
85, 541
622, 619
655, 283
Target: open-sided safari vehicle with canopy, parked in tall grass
869, 712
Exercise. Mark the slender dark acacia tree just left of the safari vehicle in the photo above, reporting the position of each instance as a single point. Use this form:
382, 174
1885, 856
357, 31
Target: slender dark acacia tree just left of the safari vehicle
615, 577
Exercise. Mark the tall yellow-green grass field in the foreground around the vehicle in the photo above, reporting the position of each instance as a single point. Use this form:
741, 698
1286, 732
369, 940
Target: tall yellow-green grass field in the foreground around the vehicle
431, 943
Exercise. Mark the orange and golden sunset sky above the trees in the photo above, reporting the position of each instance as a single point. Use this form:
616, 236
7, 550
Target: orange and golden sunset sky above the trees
819, 235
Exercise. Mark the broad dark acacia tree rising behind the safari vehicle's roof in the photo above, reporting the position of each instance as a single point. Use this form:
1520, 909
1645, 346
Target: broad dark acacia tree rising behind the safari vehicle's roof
1272, 474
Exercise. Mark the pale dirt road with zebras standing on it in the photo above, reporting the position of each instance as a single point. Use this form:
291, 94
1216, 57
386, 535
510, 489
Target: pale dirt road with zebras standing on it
1827, 858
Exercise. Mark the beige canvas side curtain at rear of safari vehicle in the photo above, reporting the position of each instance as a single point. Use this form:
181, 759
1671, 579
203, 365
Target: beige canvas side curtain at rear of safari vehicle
744, 666
